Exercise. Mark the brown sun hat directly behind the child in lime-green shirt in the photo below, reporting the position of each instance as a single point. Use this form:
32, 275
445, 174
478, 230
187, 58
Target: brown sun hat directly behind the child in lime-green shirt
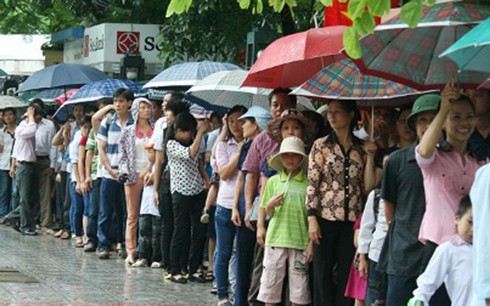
309, 127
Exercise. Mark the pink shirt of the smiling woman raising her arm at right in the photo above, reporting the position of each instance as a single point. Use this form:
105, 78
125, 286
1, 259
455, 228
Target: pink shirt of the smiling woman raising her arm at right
446, 181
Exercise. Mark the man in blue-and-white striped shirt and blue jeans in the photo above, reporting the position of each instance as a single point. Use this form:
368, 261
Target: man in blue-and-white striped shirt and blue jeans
112, 199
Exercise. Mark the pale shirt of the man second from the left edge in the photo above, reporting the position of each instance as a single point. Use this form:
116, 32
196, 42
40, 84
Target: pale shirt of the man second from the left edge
25, 142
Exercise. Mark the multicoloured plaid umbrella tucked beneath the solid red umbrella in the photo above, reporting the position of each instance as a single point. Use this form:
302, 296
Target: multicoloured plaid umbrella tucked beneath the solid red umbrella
343, 80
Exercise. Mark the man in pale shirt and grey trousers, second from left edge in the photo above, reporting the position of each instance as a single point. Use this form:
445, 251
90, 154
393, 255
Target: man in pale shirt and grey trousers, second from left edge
25, 172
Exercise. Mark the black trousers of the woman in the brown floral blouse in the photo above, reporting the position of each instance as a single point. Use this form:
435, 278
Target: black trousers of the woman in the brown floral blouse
336, 251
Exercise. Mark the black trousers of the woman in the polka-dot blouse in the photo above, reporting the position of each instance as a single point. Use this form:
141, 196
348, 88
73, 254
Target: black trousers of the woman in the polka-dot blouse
189, 233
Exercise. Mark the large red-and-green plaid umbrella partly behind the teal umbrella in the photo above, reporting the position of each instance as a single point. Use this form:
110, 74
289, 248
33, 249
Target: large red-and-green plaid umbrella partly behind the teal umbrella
387, 54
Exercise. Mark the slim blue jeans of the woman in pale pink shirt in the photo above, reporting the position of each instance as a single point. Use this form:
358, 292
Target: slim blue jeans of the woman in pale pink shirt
225, 235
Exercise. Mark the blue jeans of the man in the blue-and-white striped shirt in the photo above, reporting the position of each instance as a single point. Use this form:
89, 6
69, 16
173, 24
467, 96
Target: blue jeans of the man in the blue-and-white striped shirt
112, 208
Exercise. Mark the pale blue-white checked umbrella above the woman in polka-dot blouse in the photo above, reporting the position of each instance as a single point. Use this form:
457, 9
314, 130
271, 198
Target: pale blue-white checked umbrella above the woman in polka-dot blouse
187, 74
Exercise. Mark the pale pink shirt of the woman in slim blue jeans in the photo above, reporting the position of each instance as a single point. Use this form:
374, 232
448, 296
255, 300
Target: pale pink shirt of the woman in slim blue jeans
224, 153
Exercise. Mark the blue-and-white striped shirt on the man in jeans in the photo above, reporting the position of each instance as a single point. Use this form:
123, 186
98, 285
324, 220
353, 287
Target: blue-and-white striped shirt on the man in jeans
110, 131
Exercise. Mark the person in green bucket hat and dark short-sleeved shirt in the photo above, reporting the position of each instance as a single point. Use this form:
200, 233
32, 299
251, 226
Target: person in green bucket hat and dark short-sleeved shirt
402, 192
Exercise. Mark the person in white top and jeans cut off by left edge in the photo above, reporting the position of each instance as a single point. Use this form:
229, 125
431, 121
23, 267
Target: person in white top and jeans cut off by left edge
7, 137
